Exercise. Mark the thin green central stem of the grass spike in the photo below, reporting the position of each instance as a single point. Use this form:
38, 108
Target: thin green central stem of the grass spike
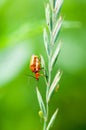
49, 68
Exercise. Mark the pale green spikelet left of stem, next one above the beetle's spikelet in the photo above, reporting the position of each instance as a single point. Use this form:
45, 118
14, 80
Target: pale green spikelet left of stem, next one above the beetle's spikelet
46, 41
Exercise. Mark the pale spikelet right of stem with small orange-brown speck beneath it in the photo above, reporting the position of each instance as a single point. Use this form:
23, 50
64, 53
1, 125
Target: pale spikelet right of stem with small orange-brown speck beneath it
54, 83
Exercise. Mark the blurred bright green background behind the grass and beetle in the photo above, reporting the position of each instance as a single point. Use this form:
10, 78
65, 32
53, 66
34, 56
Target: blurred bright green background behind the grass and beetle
21, 24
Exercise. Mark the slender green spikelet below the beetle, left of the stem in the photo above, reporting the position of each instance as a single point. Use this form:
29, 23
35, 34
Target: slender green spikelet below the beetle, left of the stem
41, 103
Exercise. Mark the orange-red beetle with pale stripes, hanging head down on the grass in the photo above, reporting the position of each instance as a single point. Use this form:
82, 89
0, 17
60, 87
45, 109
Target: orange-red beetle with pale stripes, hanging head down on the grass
35, 66
